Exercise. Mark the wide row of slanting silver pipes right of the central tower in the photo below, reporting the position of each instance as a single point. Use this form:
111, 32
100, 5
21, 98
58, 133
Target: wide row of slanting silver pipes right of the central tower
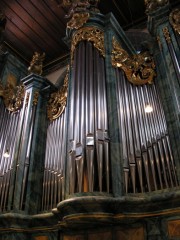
145, 143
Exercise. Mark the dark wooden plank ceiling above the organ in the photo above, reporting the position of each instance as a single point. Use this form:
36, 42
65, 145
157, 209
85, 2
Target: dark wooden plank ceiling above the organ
40, 25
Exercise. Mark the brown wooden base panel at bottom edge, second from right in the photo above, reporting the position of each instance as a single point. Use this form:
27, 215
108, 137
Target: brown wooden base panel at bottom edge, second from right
130, 234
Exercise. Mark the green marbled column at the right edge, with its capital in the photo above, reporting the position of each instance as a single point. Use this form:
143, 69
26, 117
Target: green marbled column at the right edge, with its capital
168, 79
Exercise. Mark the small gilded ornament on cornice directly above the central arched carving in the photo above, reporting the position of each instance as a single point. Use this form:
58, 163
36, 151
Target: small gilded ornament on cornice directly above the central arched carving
78, 20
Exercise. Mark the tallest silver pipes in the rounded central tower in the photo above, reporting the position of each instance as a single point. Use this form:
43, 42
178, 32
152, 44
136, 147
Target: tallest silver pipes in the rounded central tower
88, 97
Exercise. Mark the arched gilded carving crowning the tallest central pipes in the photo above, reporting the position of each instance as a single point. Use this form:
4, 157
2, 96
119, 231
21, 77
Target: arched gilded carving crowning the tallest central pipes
92, 34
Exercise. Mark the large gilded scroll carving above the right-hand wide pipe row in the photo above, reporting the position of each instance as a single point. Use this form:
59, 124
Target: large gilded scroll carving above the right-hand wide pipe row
139, 69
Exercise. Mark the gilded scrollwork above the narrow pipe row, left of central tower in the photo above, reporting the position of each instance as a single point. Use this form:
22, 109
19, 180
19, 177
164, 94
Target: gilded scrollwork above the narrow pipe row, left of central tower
57, 102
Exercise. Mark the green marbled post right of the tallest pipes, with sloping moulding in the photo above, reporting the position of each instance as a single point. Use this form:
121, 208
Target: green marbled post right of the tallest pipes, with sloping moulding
113, 29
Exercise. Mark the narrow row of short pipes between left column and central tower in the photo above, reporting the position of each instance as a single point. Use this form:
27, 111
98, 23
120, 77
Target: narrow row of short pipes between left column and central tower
53, 186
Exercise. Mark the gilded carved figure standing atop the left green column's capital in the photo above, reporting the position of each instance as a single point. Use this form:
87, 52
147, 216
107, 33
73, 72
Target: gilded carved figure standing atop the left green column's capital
36, 64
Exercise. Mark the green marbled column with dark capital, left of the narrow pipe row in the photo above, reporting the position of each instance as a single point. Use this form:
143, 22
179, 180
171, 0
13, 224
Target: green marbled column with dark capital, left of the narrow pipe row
28, 168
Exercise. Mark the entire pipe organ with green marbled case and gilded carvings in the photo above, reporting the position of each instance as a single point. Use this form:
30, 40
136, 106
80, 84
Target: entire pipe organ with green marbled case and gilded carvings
105, 142
